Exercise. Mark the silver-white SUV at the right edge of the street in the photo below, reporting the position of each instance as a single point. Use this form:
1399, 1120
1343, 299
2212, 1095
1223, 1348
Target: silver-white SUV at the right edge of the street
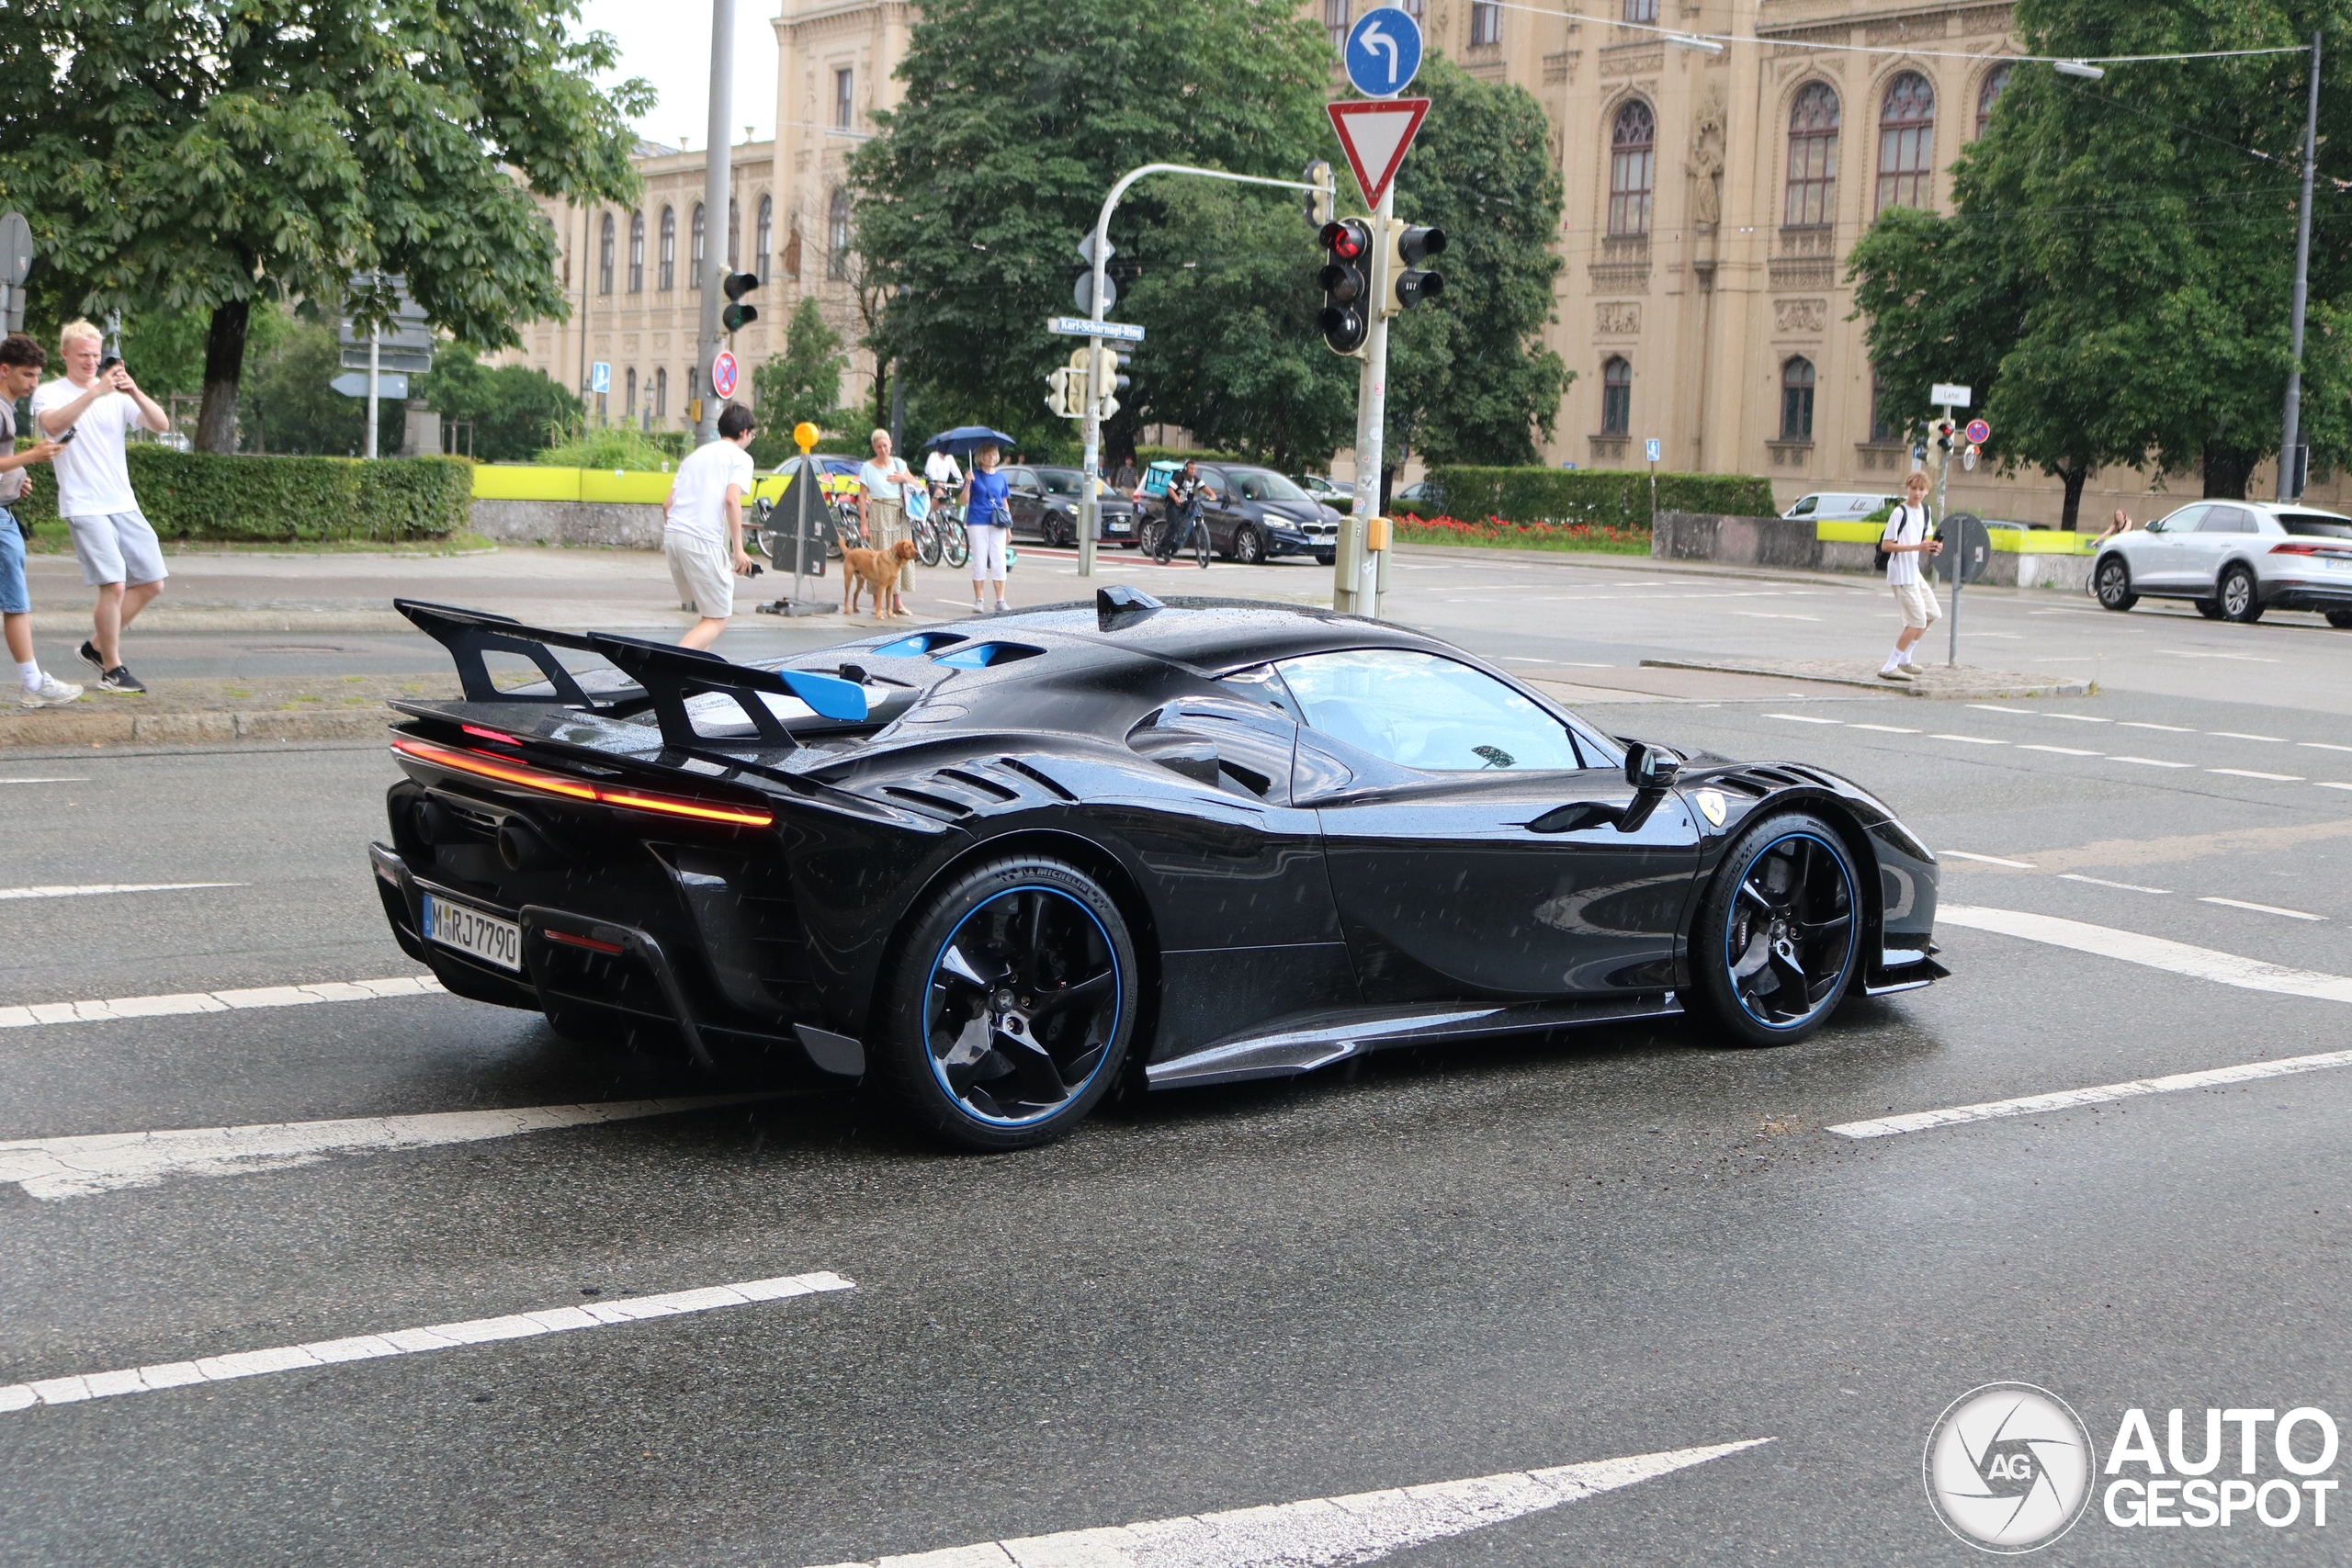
2233, 561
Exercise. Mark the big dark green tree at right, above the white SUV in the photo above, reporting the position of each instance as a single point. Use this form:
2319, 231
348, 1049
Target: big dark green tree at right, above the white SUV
2118, 269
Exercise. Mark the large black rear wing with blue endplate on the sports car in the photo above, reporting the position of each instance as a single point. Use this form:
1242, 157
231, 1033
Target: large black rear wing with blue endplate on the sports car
662, 671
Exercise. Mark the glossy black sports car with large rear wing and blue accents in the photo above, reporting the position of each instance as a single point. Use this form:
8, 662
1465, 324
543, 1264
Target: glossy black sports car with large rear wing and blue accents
1008, 862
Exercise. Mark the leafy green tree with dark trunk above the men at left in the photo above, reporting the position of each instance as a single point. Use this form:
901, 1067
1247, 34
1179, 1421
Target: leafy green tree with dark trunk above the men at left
211, 154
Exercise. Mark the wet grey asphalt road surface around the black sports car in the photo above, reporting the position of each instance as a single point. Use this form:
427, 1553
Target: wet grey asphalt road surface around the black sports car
1443, 1266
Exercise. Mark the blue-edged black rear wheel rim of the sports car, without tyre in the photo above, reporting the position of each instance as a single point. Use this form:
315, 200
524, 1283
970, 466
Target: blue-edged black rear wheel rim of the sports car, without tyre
1022, 1007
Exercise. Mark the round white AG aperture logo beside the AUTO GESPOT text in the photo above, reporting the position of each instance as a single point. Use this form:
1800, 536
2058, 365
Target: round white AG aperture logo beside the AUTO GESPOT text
2010, 1468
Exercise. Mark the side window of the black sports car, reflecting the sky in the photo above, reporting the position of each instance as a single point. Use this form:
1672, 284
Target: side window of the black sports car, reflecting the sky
1426, 713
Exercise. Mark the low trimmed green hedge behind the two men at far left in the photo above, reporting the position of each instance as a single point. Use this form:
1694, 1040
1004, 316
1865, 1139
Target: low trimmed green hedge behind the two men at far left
201, 495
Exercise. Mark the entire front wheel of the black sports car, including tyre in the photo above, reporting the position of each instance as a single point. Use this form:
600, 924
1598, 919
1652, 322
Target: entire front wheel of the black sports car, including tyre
1779, 932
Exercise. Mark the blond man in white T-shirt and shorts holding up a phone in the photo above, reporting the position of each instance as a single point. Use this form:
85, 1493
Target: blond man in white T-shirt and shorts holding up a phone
93, 413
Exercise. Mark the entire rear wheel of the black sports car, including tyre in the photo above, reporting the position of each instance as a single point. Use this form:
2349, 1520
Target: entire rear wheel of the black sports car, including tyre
1013, 1007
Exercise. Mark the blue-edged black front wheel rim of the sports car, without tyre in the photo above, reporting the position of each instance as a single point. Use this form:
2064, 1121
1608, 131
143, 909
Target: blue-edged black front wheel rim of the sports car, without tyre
1791, 932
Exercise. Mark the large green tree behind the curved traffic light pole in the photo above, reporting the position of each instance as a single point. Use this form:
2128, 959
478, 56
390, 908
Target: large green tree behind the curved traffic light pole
1017, 119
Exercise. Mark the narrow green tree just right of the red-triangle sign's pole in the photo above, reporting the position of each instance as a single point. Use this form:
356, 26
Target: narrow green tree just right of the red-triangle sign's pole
1469, 375
